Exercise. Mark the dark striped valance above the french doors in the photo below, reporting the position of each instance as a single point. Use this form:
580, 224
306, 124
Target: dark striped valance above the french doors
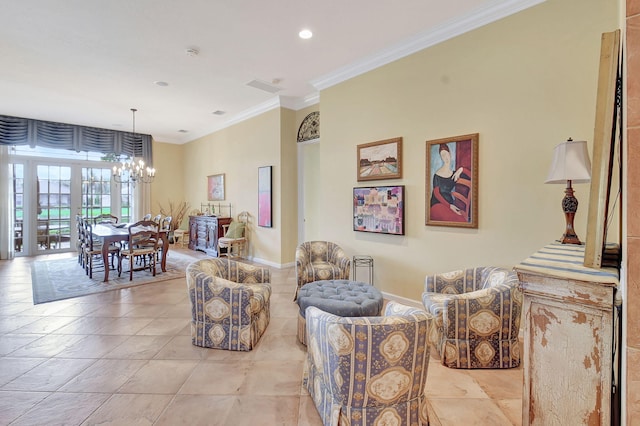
27, 131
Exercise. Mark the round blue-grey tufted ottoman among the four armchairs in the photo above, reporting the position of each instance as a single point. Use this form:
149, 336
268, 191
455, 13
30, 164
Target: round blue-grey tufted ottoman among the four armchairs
339, 297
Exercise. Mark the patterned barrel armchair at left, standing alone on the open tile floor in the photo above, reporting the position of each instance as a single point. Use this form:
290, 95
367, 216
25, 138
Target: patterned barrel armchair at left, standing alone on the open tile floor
229, 303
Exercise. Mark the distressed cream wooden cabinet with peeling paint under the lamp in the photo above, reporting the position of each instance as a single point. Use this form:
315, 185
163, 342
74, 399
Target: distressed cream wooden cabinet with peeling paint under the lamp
569, 333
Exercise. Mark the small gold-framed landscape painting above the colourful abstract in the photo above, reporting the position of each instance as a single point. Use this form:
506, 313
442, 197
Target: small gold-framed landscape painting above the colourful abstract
380, 160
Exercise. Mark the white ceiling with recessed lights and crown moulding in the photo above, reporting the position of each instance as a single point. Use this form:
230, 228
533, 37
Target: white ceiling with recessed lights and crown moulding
88, 62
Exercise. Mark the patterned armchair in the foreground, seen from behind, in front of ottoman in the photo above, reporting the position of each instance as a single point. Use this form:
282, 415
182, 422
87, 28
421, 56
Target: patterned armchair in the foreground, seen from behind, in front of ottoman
368, 370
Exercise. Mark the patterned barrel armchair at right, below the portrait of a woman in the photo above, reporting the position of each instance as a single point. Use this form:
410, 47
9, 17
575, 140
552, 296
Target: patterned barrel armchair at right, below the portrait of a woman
476, 317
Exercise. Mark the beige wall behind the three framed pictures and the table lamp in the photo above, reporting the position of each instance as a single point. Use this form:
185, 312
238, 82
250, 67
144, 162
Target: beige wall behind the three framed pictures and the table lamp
525, 84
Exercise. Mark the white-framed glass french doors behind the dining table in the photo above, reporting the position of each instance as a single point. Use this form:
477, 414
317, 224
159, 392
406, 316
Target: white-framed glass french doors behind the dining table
48, 194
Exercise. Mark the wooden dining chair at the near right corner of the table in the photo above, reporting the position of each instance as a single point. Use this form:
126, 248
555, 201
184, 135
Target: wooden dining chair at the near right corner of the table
143, 243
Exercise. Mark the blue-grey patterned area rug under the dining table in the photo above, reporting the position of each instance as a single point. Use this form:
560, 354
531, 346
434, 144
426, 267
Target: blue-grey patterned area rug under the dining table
59, 279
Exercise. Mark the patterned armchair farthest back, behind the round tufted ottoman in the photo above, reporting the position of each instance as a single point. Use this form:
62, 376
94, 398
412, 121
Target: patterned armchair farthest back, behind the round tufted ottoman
320, 260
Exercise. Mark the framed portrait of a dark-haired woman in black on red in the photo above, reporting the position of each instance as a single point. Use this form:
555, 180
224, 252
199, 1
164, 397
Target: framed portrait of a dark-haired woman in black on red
451, 197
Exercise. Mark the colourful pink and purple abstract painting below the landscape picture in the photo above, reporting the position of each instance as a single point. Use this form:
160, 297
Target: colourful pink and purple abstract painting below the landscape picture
379, 209
